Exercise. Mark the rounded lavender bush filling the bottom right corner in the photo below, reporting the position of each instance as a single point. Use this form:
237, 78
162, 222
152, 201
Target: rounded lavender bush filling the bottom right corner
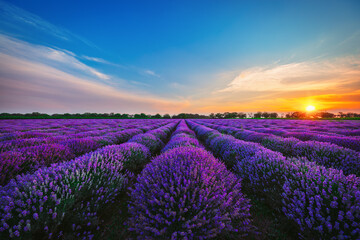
324, 203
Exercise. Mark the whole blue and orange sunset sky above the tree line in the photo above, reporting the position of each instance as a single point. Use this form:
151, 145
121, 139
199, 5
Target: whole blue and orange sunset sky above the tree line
179, 56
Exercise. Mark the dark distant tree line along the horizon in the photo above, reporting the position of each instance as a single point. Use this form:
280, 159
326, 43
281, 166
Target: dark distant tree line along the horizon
225, 115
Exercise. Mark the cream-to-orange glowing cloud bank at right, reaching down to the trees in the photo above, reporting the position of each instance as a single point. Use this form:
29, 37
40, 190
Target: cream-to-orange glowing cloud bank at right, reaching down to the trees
331, 84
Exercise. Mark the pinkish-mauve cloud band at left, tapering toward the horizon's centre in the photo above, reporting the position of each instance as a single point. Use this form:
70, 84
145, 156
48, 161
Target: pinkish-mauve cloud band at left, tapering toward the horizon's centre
32, 86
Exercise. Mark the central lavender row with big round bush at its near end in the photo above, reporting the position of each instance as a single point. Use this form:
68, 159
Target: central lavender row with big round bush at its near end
185, 193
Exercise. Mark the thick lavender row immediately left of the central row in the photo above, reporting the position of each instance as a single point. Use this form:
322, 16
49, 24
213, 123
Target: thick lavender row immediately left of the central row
67, 200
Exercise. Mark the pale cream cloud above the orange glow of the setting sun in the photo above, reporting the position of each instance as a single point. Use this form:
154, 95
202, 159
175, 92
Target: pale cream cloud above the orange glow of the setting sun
310, 75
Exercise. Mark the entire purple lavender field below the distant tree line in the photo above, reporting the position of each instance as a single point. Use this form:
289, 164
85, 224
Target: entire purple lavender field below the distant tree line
179, 179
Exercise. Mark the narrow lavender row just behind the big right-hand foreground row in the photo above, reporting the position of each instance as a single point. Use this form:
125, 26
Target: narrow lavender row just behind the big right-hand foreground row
326, 154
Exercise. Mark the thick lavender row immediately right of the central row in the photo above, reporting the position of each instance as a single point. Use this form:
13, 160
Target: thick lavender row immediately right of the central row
323, 203
